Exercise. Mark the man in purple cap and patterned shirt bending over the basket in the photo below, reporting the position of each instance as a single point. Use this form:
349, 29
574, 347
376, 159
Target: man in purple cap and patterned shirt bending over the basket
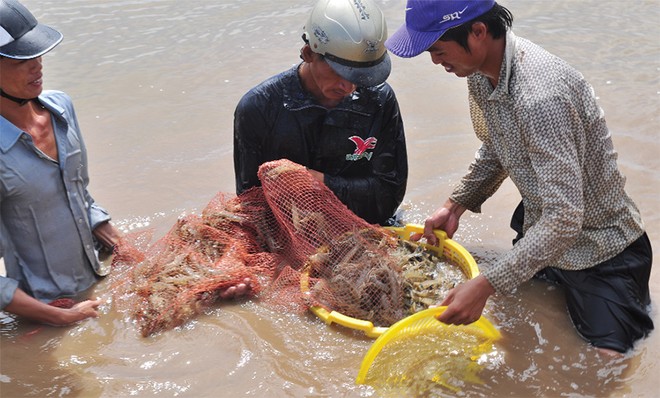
540, 125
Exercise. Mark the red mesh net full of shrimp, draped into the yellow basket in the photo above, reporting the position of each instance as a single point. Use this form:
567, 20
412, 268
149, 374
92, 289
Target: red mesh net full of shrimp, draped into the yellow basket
292, 226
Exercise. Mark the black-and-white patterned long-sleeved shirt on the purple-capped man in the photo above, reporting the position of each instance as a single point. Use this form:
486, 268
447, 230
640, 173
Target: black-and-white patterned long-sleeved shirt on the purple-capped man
541, 126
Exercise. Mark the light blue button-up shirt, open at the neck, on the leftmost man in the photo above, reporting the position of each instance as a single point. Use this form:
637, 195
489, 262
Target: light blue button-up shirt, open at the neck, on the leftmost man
46, 214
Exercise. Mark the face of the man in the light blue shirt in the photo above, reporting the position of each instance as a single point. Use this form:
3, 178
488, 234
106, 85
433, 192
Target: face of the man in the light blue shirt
21, 78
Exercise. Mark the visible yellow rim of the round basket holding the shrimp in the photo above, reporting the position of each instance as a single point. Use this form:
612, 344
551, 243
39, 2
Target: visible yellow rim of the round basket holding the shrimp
446, 248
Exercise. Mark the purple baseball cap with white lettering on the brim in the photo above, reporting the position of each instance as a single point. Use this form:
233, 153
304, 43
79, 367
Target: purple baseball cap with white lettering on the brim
427, 20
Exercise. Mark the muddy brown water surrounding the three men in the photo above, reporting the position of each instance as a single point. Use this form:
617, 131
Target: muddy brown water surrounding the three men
155, 83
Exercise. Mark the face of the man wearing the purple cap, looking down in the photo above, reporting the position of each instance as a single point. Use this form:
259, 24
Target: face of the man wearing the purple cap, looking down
454, 58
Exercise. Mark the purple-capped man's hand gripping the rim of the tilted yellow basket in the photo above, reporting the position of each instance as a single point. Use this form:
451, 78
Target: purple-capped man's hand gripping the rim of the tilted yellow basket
466, 302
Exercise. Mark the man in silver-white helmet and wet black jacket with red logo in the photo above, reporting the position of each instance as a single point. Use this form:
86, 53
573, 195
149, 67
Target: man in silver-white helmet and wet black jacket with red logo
332, 113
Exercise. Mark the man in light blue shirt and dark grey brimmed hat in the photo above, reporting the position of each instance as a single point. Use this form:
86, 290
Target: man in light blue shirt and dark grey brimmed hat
51, 230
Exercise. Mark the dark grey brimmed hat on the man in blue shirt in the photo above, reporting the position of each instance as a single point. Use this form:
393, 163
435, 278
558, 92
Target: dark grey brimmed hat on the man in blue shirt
21, 36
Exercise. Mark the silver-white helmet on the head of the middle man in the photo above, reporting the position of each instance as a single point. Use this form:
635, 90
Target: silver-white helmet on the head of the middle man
350, 34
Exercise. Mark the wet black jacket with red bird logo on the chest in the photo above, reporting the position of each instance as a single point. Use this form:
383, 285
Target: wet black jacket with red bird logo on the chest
359, 145
